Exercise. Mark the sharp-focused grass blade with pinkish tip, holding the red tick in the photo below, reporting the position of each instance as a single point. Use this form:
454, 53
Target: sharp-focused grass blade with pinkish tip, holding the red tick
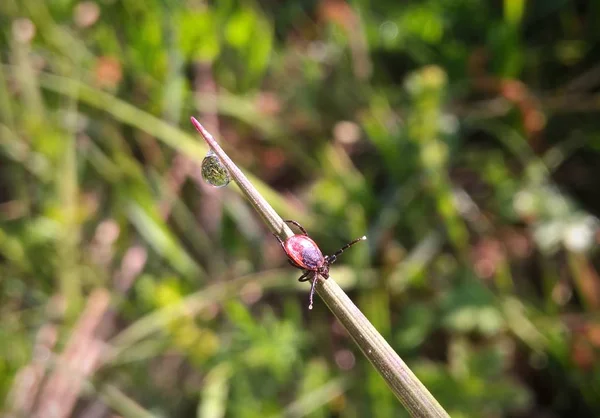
401, 380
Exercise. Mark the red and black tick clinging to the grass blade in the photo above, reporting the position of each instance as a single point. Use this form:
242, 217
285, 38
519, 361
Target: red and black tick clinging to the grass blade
304, 254
